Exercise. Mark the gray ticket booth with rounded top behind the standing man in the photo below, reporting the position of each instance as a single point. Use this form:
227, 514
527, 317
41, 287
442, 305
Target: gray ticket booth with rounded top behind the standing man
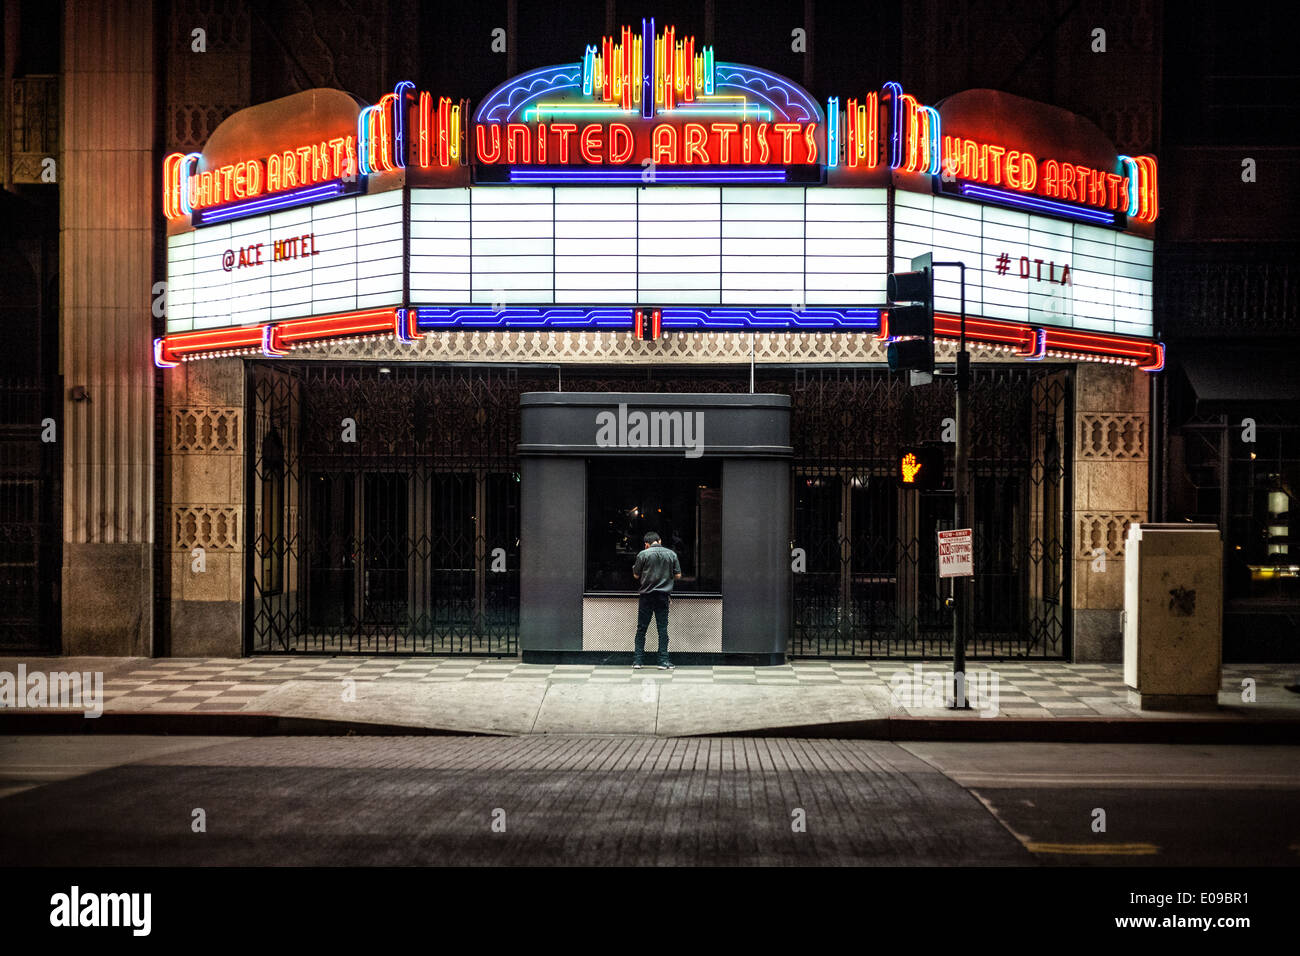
710, 473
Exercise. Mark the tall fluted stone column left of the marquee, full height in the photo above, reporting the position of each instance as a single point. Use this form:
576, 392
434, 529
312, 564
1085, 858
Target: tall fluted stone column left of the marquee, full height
106, 250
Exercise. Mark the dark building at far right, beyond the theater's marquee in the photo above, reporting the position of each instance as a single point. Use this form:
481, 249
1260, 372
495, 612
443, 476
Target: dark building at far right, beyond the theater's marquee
1228, 304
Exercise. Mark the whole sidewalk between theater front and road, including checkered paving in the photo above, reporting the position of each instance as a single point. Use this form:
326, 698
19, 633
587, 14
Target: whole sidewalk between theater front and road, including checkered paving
851, 699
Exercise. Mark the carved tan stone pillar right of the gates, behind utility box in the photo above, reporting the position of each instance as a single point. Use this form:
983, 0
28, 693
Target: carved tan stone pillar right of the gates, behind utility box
1111, 462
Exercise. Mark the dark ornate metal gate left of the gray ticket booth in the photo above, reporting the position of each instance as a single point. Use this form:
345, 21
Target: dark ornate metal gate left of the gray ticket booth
398, 509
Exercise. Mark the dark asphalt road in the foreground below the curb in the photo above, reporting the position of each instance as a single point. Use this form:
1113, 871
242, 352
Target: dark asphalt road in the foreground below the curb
94, 801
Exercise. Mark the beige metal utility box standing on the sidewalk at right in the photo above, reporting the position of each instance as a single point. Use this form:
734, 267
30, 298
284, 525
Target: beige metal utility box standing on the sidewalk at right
1173, 616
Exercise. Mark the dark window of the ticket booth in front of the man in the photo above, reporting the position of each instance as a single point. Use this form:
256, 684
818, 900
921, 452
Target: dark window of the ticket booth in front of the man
681, 499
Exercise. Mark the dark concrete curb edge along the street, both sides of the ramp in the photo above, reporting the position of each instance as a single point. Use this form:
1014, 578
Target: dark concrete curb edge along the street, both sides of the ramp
1084, 730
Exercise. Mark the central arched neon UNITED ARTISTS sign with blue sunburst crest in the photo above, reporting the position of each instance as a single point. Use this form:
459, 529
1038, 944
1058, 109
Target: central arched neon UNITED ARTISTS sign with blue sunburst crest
649, 98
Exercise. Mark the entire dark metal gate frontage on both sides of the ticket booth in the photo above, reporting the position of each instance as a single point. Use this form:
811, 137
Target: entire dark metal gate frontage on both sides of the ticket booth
393, 521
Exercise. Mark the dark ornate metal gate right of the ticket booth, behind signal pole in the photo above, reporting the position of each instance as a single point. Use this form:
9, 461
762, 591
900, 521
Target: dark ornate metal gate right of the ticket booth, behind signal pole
870, 587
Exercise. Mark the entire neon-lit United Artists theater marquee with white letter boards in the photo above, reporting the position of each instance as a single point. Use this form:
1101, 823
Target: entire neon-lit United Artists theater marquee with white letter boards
649, 185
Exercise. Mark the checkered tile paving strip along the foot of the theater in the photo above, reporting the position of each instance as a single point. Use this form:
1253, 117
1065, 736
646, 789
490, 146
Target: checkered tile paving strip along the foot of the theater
1025, 689
